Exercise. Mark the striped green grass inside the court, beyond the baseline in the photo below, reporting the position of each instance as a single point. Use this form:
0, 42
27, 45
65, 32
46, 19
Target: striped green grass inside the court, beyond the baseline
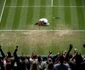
24, 17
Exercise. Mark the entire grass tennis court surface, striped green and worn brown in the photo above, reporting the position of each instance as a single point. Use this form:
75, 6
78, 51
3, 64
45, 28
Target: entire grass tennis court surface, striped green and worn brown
67, 16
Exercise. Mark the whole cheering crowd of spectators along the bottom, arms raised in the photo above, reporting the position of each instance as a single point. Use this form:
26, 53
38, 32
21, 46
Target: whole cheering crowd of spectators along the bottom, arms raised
61, 61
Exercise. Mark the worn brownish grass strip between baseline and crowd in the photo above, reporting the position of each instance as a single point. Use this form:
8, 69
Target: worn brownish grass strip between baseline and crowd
42, 41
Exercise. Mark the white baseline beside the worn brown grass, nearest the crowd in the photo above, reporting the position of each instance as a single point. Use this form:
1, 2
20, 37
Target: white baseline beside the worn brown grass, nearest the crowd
40, 30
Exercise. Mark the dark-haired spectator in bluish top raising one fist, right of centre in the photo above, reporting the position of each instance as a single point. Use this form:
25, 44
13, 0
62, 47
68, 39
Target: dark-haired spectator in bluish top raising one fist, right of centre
62, 61
